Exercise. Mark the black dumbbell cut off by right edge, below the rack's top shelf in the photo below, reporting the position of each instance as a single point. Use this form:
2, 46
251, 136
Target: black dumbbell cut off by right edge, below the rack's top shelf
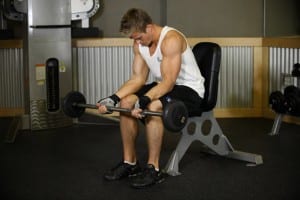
292, 100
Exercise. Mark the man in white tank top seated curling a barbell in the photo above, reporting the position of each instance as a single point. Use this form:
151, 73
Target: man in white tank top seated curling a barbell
164, 52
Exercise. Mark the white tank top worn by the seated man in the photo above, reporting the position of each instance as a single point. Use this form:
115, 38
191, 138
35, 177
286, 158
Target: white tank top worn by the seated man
189, 74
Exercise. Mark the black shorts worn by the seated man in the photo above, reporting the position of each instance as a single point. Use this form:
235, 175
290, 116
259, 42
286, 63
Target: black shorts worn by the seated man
188, 96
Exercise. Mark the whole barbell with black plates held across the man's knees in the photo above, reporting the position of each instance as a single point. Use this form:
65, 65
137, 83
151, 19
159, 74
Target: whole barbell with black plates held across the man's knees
174, 115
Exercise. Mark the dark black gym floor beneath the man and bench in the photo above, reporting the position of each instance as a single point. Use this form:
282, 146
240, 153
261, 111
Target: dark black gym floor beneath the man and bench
68, 163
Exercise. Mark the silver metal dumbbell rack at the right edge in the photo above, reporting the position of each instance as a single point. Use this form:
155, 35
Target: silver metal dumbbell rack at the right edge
287, 79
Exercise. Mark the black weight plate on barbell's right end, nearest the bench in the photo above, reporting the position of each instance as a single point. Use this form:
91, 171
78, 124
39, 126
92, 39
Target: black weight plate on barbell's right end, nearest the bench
175, 116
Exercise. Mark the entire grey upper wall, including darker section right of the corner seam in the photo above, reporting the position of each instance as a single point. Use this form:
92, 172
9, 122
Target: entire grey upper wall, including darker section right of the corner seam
205, 18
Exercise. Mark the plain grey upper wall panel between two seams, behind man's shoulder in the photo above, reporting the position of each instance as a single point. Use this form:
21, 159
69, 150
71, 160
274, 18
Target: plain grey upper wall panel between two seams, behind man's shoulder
216, 18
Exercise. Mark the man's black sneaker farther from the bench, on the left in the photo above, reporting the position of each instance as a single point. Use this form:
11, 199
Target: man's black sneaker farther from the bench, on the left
122, 170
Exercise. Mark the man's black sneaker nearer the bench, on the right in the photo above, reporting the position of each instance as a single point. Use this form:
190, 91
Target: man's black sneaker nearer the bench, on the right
149, 176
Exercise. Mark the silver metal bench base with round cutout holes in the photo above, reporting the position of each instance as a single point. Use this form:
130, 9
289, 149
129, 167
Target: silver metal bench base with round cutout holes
213, 139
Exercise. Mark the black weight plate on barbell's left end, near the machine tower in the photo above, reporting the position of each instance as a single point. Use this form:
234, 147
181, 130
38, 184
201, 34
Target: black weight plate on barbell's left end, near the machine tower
69, 108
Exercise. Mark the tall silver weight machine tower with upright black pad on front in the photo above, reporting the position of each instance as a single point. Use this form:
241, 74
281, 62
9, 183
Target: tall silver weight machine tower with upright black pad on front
48, 76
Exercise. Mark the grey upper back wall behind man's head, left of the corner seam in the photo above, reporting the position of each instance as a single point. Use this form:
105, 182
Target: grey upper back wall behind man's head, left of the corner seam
202, 18
